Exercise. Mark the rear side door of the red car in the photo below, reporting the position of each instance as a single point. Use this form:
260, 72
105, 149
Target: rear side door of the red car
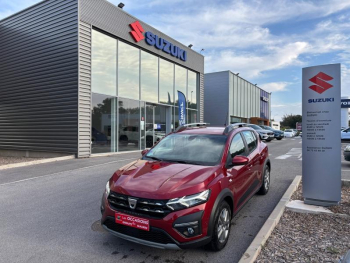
254, 157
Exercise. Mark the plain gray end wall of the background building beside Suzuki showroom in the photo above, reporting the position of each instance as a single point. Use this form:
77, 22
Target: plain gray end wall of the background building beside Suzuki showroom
216, 98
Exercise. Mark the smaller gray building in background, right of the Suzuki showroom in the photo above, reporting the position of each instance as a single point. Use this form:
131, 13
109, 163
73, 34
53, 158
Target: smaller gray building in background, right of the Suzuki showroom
232, 99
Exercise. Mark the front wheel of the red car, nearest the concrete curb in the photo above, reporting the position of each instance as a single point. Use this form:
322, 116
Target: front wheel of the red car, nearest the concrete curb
222, 220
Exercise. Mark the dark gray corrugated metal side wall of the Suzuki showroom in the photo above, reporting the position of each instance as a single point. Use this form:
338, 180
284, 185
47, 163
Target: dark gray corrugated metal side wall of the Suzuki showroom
39, 78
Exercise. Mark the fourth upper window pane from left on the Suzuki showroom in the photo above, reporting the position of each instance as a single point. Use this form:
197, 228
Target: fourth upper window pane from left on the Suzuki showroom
166, 82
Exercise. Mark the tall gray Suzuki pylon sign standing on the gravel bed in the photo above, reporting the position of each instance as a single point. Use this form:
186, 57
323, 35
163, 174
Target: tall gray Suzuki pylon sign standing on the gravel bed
321, 153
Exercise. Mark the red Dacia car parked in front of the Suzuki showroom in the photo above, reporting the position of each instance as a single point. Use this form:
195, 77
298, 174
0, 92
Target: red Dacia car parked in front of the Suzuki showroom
185, 190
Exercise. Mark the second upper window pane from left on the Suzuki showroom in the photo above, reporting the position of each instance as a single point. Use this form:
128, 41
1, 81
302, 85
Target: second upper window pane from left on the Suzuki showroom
128, 71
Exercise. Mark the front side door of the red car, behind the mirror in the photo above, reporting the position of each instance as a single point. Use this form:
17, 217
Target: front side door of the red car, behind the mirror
238, 175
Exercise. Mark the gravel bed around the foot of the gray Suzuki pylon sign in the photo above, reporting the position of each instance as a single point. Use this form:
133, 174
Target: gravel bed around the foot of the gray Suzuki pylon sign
310, 237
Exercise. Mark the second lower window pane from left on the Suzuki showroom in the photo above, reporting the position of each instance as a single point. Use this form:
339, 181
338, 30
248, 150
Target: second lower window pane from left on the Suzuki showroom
129, 124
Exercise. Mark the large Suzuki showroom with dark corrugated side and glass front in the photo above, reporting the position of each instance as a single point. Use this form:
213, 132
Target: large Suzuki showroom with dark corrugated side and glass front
84, 77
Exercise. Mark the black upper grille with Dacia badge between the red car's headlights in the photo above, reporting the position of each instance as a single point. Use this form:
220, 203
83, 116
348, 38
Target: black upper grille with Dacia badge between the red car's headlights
148, 208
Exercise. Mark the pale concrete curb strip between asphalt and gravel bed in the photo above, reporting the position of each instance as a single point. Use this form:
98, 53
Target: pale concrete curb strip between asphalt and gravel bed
259, 241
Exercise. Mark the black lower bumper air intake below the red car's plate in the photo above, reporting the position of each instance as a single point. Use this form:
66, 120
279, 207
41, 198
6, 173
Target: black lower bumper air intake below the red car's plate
154, 235
